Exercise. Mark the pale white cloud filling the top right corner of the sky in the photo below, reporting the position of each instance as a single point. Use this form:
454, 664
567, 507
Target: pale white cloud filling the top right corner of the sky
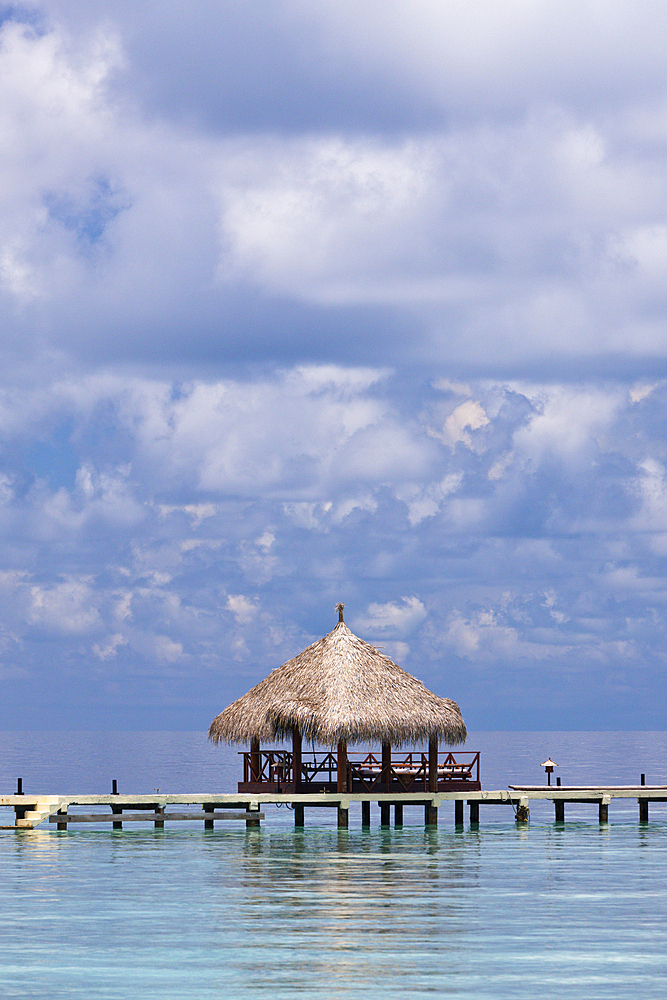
485, 58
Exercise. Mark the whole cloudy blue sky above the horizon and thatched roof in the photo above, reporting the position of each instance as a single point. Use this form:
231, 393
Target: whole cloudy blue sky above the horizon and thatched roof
357, 300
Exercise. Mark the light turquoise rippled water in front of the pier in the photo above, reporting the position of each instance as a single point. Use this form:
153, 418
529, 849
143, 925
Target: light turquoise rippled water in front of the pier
322, 912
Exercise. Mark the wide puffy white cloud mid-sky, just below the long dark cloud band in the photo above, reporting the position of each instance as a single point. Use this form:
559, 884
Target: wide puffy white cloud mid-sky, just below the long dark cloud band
225, 435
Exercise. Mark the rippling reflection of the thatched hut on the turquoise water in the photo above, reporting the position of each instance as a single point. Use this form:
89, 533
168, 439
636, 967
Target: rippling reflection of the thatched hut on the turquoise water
337, 905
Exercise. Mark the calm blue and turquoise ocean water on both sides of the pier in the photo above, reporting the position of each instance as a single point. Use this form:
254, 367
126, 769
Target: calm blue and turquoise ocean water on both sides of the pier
572, 910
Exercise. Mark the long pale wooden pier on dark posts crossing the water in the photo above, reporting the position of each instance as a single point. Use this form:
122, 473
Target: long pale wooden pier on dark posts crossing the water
63, 811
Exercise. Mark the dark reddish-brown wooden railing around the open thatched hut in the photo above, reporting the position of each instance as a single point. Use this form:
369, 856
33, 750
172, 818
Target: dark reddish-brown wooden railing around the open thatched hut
408, 771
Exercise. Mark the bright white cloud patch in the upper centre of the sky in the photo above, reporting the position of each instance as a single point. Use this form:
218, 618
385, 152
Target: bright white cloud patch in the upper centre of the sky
332, 210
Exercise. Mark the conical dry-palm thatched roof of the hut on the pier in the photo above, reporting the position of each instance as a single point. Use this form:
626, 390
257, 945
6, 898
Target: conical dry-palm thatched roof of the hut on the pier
340, 688
